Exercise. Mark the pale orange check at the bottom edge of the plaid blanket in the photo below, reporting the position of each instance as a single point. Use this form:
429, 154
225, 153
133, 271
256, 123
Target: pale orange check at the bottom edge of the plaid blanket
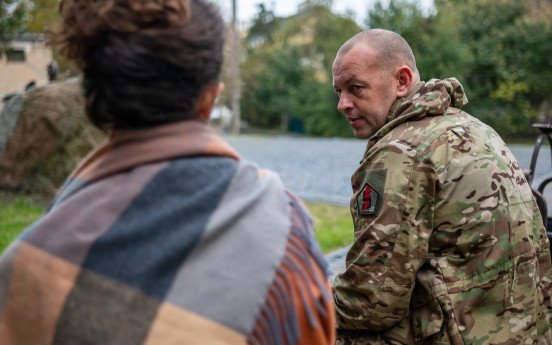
174, 326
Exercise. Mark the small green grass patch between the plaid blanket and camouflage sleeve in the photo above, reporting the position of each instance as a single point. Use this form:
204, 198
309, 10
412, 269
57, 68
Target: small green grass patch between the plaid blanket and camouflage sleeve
333, 224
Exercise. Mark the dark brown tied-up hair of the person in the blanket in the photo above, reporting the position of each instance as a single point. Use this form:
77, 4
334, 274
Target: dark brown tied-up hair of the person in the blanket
145, 62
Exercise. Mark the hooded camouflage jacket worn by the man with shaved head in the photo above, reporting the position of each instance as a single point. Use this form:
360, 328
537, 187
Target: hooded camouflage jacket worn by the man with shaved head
449, 246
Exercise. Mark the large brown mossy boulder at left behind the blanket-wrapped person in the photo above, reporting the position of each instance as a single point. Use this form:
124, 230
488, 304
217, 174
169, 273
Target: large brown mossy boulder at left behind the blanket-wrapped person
43, 134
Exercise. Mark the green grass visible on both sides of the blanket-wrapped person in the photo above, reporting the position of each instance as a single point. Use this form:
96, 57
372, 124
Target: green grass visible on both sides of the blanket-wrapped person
334, 227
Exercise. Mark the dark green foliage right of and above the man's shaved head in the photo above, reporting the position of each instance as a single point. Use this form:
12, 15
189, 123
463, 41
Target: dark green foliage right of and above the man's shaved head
503, 61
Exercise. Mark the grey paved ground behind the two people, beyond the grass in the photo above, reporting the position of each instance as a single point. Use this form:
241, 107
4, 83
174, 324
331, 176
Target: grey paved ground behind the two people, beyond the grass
320, 169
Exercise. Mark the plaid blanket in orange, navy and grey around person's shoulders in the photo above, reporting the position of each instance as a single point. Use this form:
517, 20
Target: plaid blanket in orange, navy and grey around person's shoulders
165, 236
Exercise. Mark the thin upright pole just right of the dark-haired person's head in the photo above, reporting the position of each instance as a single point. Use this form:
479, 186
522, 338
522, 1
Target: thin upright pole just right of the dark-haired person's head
235, 68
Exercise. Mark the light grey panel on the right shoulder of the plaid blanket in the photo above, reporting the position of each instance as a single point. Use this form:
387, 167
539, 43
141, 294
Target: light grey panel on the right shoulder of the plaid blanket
227, 275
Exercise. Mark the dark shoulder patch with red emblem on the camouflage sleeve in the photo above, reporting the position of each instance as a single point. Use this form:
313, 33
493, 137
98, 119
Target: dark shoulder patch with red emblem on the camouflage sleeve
370, 197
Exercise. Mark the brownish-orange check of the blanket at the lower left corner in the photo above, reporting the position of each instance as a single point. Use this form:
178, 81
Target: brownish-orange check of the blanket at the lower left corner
39, 285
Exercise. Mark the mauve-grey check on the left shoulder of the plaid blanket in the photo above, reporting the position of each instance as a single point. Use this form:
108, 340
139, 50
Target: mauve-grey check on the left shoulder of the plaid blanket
71, 227
